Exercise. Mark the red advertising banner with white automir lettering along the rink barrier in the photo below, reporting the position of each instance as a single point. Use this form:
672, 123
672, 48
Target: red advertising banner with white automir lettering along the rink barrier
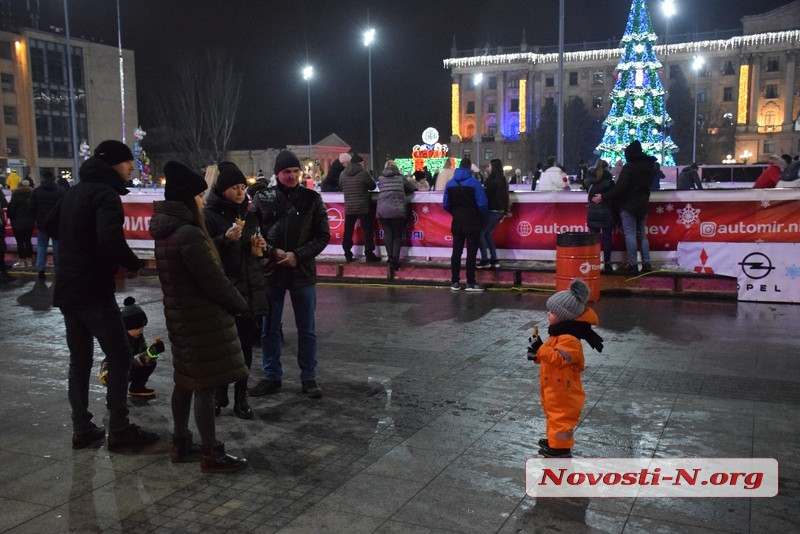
724, 216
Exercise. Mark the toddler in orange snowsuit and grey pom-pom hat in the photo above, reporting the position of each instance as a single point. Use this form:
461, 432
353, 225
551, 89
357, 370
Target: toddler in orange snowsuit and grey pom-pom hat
560, 362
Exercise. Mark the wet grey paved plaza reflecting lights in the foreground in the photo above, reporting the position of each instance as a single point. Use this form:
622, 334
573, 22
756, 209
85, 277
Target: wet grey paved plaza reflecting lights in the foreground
430, 411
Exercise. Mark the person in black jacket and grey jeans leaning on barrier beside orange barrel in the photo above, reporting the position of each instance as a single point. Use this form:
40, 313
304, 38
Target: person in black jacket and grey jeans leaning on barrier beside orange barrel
632, 193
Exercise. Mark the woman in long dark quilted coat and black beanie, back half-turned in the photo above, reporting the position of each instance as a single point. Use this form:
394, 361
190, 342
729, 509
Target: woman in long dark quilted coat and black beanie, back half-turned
199, 305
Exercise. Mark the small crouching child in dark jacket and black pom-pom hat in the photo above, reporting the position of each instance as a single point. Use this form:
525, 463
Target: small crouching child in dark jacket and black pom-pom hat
145, 358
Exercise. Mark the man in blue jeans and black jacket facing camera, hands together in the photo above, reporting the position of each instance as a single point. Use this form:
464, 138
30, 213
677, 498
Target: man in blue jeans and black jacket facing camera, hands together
294, 221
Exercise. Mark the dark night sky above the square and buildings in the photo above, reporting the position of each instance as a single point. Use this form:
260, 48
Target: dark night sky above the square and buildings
270, 42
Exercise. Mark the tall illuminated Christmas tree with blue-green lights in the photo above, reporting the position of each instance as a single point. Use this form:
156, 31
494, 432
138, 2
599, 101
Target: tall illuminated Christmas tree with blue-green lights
637, 101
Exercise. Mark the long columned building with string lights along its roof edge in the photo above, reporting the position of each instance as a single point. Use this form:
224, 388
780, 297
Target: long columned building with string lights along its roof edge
749, 82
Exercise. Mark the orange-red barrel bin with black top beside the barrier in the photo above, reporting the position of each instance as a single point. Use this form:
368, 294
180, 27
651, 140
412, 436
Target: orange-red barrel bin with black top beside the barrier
578, 256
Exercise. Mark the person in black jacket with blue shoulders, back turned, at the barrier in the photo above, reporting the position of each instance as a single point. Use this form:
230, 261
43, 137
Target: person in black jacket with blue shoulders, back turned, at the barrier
465, 199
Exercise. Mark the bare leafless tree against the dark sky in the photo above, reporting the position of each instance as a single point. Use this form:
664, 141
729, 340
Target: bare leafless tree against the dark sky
196, 109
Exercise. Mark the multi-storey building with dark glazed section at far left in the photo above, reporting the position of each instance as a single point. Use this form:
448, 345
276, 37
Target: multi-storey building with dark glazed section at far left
36, 131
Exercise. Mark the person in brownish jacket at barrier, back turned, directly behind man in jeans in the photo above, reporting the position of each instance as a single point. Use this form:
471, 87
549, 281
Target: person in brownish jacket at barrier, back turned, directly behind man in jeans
356, 183
